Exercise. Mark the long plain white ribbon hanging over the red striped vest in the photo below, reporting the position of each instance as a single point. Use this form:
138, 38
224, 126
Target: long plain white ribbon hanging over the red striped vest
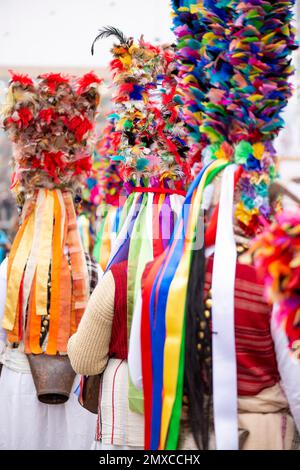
224, 354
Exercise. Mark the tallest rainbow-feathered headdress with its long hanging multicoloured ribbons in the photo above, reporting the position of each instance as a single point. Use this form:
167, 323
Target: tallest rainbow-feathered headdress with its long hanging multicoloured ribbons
235, 58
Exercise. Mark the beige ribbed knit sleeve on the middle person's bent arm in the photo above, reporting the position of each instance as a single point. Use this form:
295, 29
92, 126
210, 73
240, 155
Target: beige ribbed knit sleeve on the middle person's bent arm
88, 348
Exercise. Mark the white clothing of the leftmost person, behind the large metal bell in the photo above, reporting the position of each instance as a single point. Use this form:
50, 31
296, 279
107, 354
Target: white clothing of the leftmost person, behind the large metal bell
25, 422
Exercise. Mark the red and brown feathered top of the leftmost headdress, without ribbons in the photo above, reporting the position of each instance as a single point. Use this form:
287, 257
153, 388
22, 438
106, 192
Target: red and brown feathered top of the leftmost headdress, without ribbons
50, 121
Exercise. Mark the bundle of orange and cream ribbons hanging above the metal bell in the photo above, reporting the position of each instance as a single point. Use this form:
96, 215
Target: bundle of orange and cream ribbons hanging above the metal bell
39, 259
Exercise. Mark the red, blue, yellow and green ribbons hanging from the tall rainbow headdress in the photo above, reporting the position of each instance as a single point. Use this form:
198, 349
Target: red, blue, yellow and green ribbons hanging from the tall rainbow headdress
166, 310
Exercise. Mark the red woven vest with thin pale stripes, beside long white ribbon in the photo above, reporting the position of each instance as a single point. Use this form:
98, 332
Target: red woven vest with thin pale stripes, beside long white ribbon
256, 359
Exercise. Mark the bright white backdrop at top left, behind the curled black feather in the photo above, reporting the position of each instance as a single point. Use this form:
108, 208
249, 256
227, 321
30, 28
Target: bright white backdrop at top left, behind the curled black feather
60, 32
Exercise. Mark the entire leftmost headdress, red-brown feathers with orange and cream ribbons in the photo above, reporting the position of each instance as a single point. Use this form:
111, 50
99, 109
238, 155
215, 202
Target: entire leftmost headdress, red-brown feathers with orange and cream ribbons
49, 121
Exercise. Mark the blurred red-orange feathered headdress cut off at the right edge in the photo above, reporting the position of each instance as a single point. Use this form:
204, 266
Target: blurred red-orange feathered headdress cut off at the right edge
277, 257
